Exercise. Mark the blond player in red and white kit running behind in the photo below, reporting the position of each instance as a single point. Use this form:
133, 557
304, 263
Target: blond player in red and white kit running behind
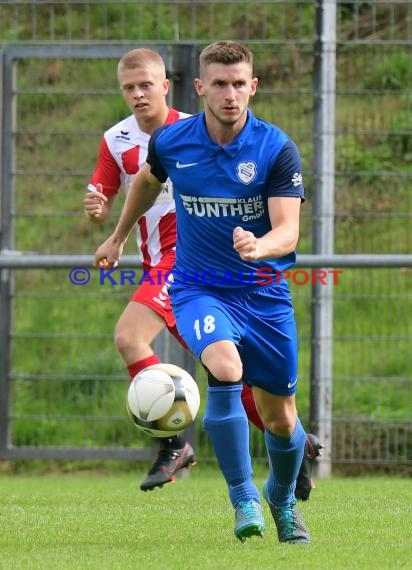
123, 150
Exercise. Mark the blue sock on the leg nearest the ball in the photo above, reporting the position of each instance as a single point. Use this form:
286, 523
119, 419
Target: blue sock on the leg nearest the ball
227, 426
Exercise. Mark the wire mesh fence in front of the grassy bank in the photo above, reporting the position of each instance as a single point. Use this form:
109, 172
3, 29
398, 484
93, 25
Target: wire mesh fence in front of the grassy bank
62, 384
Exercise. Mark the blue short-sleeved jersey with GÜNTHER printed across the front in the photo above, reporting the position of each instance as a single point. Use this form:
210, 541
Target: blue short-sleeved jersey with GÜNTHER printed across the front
218, 188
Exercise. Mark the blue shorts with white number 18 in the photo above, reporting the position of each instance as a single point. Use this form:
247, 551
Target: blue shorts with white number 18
260, 321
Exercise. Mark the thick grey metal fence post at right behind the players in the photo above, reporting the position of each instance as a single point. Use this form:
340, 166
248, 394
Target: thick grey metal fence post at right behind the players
323, 226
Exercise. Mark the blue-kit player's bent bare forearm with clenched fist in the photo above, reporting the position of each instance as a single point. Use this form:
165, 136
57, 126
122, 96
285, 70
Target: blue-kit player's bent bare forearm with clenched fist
282, 239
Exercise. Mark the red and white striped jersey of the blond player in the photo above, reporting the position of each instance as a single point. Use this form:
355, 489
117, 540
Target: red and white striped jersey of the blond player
122, 153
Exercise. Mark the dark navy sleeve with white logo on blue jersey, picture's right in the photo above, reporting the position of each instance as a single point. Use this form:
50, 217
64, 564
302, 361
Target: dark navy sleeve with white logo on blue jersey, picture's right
285, 178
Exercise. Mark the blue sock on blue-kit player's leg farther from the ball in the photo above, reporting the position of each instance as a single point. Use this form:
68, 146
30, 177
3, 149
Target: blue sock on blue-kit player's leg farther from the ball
285, 458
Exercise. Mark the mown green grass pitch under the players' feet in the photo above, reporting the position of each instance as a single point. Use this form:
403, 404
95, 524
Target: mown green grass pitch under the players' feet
103, 521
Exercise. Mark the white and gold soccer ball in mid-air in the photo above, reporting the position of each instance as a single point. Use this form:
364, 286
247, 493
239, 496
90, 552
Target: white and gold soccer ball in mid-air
163, 400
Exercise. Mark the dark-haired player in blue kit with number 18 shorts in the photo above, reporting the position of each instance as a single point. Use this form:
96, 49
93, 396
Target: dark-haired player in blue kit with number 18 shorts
238, 189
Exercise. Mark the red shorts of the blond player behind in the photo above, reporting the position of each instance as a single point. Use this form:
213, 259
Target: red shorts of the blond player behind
153, 292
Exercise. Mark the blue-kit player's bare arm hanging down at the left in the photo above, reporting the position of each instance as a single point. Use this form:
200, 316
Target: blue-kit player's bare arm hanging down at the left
141, 196
